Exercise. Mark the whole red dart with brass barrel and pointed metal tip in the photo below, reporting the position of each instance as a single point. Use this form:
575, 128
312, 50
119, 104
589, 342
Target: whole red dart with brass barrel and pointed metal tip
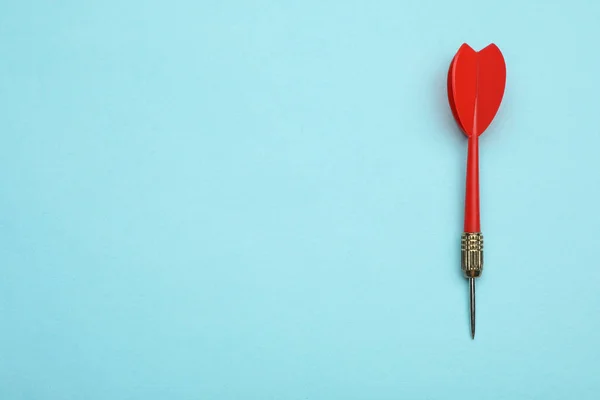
476, 81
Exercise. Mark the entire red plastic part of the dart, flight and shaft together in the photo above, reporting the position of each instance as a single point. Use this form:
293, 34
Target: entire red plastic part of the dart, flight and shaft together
476, 82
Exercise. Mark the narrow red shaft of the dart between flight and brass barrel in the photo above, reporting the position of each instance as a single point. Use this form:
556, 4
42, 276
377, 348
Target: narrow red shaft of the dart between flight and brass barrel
472, 222
